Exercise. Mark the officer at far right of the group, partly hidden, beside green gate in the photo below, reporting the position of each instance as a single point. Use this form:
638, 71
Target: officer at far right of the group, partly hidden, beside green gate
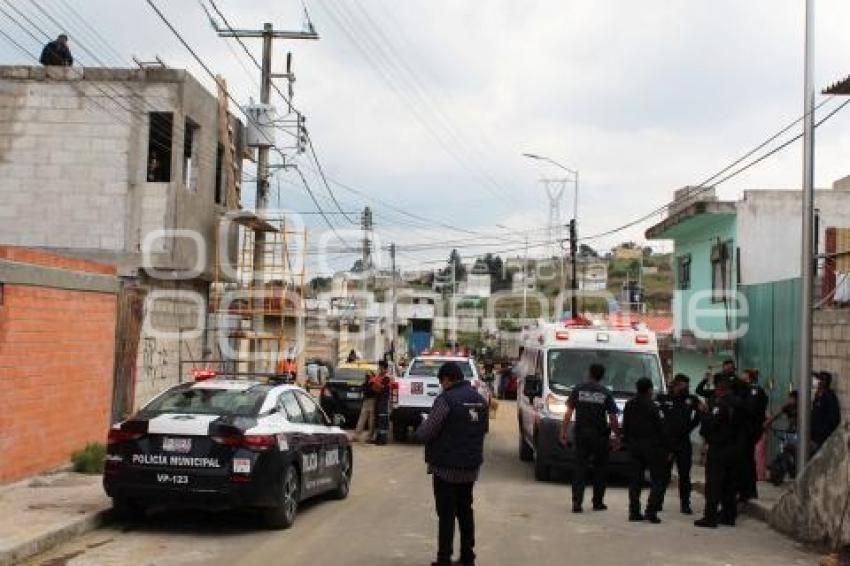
755, 403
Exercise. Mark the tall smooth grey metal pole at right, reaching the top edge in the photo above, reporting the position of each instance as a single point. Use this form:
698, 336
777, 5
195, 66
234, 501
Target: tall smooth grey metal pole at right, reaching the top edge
807, 253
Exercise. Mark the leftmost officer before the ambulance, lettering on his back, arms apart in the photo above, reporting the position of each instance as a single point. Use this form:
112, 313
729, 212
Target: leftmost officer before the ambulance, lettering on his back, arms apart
591, 401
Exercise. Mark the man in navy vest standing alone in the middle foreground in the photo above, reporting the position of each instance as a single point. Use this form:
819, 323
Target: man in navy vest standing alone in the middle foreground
453, 435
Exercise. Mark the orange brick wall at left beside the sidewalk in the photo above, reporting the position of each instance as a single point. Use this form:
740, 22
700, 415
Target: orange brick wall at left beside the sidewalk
56, 356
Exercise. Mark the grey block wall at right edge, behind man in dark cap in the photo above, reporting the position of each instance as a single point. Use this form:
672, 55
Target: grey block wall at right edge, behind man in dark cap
832, 352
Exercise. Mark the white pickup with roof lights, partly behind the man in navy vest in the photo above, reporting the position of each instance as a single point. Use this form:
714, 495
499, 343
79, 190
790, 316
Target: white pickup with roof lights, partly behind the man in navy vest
413, 393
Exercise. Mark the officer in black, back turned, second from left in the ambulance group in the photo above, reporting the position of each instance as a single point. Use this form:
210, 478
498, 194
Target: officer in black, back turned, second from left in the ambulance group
643, 434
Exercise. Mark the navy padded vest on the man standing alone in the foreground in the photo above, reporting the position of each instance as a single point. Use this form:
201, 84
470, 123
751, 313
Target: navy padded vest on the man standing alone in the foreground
459, 445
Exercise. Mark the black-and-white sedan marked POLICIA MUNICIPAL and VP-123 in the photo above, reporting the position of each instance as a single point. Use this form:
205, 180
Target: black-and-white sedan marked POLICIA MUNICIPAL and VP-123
223, 442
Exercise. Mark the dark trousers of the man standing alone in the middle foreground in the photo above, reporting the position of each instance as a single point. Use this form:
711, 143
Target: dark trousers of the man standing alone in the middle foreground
454, 501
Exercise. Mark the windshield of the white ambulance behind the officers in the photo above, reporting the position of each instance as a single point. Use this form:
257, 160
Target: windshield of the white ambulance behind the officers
568, 368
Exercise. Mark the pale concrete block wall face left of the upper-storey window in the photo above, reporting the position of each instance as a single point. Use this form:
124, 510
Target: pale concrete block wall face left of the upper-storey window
64, 164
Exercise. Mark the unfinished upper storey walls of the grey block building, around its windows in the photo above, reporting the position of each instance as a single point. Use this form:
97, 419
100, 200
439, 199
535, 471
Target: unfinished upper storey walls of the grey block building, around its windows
73, 162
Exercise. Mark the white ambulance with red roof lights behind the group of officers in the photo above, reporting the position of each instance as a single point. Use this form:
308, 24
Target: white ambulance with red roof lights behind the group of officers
555, 358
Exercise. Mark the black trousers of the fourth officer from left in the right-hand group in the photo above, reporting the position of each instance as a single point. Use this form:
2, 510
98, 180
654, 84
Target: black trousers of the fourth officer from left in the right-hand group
722, 468
